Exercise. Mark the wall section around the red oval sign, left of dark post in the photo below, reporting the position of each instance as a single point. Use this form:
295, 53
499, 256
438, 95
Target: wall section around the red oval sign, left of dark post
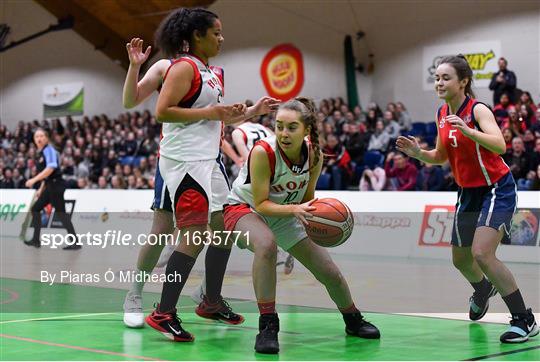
251, 29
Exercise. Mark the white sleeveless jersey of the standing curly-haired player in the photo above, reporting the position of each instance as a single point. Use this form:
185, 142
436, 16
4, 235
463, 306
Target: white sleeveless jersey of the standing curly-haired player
200, 140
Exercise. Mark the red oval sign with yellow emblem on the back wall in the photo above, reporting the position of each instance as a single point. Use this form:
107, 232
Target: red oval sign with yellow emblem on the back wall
282, 72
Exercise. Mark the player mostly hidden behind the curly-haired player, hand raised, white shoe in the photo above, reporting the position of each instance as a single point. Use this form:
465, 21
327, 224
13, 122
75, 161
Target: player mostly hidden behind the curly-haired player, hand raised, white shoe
134, 93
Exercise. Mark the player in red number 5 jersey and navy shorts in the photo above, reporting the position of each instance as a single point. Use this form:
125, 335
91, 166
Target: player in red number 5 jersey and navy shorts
469, 138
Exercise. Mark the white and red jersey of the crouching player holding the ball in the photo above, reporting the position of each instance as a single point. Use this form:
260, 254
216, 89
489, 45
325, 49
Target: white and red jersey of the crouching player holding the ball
288, 183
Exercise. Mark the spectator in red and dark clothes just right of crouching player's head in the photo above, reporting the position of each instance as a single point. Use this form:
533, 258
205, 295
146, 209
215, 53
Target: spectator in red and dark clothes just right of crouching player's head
337, 163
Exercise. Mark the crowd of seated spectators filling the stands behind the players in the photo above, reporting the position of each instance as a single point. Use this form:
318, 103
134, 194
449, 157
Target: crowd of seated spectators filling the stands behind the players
359, 148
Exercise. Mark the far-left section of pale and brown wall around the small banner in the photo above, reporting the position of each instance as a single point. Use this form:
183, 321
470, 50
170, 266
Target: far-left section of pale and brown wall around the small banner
58, 57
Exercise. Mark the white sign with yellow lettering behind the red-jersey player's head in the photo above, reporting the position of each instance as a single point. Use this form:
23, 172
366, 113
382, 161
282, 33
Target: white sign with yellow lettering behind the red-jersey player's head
482, 57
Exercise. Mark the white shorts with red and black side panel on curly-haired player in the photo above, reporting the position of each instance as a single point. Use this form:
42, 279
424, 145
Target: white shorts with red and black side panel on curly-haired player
196, 188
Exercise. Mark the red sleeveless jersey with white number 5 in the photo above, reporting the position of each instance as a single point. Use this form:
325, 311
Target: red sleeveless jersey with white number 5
472, 164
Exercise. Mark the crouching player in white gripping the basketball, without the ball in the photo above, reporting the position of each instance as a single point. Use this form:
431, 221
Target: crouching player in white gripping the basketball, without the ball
270, 201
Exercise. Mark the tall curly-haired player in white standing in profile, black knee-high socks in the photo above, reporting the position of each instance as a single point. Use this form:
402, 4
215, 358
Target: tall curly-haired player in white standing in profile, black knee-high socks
190, 106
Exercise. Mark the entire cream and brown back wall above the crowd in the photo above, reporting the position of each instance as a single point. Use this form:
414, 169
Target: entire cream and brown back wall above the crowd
396, 33
